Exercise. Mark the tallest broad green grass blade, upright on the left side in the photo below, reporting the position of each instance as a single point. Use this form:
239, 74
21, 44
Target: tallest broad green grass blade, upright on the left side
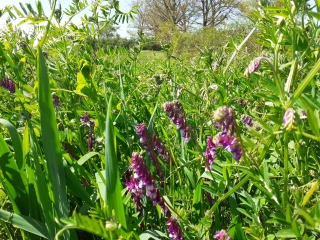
50, 139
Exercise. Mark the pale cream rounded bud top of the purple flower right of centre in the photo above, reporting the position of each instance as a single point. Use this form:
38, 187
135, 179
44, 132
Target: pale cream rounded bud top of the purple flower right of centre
224, 118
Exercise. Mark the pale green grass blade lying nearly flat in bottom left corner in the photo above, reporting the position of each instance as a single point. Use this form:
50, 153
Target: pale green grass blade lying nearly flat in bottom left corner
26, 223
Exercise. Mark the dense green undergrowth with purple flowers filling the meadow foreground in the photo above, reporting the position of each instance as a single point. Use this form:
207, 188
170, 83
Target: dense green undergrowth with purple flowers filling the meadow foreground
96, 143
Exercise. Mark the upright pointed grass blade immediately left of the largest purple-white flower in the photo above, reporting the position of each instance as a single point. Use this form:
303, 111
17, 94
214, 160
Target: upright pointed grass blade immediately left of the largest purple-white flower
113, 185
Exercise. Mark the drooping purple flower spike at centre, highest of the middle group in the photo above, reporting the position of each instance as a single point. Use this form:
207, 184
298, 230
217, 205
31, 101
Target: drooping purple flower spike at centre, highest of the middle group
176, 114
